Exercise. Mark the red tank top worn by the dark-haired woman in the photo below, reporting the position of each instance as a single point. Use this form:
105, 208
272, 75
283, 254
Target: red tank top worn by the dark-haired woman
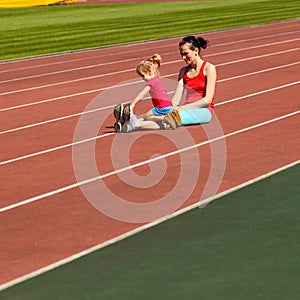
196, 86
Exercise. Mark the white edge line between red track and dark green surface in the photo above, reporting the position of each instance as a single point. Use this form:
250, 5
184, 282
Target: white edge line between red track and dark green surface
139, 229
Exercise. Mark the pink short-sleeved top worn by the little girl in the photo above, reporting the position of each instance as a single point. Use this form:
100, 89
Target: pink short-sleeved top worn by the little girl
158, 93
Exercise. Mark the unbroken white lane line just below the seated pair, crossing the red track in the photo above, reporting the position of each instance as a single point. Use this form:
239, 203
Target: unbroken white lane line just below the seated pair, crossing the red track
90, 180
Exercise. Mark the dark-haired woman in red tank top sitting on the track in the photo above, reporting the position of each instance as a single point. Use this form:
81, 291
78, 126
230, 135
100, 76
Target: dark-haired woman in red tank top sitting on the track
198, 78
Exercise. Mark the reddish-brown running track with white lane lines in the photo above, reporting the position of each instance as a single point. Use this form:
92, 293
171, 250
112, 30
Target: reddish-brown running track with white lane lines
44, 215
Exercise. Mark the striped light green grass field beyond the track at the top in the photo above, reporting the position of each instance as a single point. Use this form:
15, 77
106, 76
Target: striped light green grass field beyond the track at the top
42, 30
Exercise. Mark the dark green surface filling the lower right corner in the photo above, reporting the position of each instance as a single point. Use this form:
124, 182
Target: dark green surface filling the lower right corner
241, 246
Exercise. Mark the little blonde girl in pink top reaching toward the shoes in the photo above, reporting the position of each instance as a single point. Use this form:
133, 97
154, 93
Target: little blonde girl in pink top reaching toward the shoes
162, 105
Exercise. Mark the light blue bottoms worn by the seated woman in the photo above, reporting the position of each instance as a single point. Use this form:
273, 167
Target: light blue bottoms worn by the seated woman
194, 116
